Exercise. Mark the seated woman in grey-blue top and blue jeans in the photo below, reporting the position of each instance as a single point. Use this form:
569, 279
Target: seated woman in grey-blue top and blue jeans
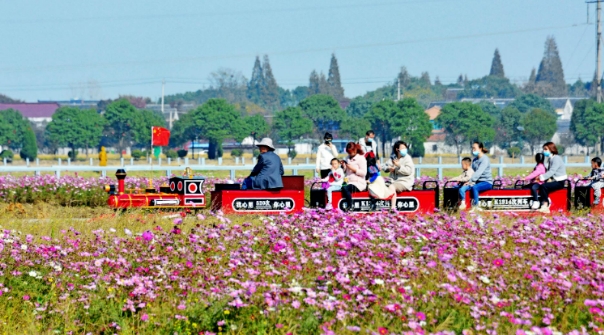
482, 178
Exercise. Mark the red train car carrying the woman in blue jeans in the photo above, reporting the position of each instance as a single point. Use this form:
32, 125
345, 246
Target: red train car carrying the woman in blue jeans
515, 199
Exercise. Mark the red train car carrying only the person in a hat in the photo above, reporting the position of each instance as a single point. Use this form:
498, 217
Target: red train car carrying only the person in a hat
232, 200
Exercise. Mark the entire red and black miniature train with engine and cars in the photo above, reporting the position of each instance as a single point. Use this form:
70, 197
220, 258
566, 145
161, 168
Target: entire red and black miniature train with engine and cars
188, 193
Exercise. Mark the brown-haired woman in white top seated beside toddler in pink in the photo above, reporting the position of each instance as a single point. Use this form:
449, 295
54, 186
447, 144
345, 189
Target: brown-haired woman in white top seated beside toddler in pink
355, 169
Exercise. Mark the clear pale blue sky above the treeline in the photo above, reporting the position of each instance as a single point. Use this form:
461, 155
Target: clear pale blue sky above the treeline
60, 50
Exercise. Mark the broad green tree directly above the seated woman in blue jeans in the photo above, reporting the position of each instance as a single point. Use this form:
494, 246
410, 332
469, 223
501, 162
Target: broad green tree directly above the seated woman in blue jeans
465, 122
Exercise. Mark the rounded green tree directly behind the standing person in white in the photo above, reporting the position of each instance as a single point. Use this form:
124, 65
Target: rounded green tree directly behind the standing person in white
324, 111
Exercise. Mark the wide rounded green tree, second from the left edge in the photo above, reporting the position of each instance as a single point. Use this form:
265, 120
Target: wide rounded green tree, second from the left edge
75, 128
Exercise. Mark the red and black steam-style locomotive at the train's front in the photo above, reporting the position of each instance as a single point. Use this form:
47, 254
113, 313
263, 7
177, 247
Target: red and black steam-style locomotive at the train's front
180, 193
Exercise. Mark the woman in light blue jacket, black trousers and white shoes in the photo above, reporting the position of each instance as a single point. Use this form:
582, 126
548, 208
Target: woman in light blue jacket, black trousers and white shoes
555, 176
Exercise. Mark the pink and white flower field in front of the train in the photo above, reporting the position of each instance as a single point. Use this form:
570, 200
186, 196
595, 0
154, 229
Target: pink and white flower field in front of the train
313, 273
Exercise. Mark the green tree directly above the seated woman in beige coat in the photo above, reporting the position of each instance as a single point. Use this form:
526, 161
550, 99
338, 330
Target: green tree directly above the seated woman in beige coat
413, 125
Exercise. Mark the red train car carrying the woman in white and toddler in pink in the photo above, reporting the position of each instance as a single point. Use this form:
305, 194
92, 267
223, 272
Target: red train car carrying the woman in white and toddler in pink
422, 201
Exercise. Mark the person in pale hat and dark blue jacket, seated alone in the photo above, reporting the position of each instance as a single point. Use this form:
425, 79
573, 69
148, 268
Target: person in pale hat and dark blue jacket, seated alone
267, 173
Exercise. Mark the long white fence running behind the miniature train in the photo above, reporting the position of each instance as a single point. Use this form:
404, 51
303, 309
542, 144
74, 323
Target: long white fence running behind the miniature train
199, 165
